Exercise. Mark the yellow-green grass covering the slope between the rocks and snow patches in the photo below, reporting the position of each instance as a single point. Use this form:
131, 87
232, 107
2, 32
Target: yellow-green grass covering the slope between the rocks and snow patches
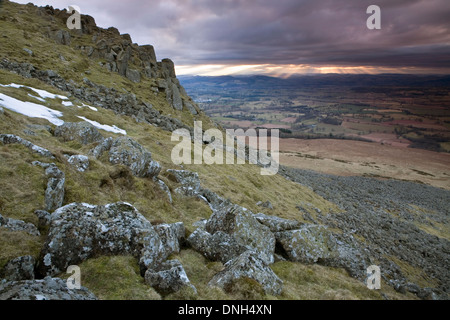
117, 277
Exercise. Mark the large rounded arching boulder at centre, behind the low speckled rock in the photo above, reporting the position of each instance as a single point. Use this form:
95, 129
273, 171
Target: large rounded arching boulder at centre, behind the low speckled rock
241, 224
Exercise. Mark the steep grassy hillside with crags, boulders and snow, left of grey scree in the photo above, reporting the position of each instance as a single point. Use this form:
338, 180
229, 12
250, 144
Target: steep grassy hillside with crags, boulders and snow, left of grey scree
100, 148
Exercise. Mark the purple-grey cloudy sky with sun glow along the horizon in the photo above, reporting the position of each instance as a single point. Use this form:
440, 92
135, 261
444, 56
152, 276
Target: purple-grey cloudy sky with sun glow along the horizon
281, 37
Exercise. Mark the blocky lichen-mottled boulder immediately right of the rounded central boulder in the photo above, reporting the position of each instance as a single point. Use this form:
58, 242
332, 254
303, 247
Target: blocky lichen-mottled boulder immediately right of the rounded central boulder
307, 244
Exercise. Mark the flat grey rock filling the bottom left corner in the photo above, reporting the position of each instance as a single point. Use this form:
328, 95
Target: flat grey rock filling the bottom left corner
45, 289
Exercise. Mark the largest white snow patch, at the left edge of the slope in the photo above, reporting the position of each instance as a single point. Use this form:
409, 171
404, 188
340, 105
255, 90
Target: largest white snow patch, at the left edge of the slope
30, 109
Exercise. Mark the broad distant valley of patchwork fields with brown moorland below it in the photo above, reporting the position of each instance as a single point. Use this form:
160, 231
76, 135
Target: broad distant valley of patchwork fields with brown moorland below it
406, 118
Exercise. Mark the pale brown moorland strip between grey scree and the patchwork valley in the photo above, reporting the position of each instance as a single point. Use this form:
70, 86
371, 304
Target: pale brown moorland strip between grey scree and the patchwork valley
343, 157
